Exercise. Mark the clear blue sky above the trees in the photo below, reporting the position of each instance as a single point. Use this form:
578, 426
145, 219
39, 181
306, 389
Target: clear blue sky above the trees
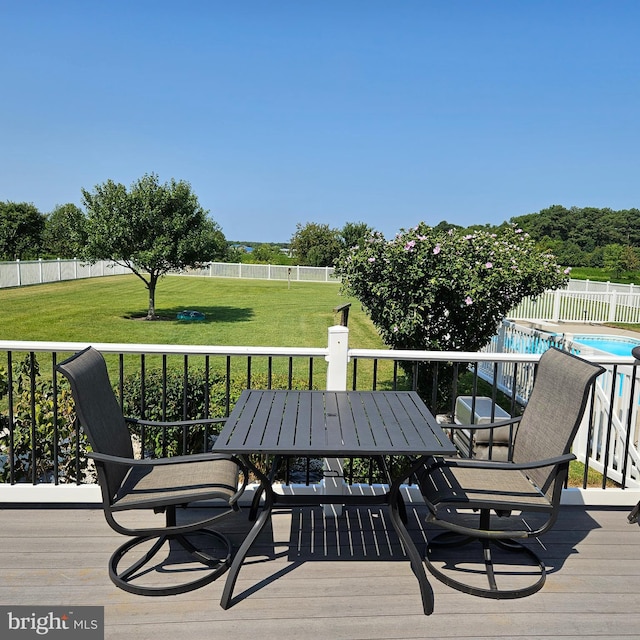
281, 112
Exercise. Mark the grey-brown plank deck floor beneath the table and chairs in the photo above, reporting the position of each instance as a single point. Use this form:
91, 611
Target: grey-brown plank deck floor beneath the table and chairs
317, 577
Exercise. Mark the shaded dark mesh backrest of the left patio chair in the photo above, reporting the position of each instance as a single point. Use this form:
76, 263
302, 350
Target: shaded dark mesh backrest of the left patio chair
97, 408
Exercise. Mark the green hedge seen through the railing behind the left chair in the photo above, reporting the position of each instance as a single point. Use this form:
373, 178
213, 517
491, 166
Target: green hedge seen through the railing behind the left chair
38, 438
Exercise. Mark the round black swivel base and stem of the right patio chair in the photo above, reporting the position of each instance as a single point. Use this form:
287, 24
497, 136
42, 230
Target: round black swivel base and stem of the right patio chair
450, 539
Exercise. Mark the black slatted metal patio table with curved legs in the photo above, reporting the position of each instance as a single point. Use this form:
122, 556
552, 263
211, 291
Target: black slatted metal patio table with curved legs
332, 424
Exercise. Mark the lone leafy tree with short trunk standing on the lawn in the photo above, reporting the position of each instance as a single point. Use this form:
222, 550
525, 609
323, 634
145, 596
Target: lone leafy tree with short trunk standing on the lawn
151, 229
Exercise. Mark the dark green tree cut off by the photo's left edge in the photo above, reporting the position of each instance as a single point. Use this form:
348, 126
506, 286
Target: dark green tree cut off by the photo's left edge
21, 227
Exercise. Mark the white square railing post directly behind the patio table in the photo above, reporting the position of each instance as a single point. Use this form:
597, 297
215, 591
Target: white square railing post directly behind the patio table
337, 359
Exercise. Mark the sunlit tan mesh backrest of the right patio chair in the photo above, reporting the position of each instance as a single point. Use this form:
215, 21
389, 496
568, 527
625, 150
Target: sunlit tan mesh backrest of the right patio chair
554, 411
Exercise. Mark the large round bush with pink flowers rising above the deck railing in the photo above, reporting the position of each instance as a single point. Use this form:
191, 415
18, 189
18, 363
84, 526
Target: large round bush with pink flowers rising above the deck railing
438, 290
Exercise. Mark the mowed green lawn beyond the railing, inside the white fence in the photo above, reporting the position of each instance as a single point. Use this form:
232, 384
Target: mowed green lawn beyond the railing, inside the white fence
238, 312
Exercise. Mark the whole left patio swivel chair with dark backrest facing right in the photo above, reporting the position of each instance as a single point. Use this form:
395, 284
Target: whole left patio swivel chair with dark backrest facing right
159, 485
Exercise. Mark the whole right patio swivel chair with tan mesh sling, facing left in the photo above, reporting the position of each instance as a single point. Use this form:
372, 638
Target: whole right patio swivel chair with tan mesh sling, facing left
475, 500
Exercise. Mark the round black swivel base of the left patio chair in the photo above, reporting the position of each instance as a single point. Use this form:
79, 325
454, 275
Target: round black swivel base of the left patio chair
125, 579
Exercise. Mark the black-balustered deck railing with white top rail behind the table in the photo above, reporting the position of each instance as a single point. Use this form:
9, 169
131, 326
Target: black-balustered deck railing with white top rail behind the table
40, 441
